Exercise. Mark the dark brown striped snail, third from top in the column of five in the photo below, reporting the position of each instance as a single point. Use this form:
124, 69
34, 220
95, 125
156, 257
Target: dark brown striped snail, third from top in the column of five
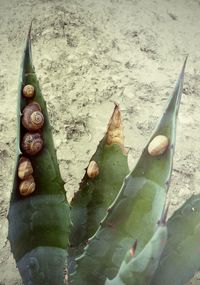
32, 143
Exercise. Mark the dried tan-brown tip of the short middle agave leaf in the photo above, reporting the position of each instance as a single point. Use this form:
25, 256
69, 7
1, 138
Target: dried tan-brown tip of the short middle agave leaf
114, 133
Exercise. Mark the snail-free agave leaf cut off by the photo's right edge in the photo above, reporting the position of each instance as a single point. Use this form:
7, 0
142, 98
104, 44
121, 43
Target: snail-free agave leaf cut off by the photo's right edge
181, 258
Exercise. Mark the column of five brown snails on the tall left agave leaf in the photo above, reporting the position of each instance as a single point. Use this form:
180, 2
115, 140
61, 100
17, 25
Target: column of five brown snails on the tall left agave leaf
32, 142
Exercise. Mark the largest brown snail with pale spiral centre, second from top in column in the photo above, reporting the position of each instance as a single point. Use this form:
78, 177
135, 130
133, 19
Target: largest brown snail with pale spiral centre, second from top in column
32, 118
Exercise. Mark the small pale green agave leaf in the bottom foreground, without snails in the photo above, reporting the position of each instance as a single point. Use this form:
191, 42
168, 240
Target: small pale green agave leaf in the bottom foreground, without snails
140, 269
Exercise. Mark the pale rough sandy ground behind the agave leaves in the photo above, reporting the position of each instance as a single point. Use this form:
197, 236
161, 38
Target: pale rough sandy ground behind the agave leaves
89, 54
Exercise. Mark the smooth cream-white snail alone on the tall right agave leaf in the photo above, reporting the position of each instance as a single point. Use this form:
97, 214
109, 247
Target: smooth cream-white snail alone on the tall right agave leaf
158, 145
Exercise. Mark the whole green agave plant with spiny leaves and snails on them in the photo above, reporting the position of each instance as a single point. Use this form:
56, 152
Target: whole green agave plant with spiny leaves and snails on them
115, 229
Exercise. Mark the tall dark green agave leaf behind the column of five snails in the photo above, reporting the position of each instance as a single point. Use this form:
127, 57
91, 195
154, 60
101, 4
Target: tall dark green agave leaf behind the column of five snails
40, 220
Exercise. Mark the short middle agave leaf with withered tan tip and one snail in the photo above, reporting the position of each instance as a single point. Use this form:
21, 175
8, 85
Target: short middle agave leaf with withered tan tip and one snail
98, 190
